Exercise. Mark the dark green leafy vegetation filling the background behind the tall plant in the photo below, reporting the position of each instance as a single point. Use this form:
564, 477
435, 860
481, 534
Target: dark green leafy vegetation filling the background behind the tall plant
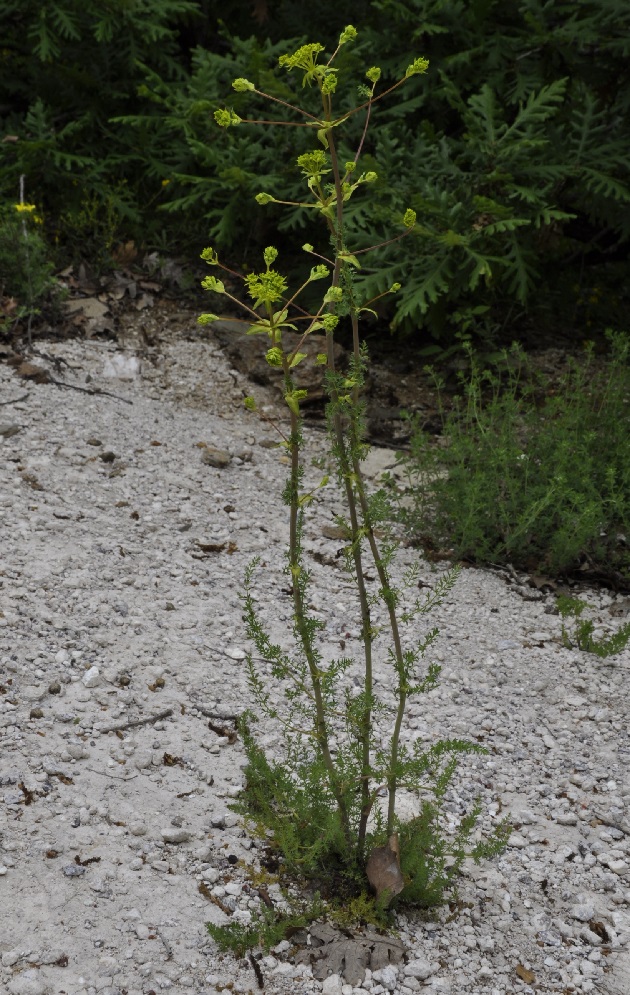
514, 150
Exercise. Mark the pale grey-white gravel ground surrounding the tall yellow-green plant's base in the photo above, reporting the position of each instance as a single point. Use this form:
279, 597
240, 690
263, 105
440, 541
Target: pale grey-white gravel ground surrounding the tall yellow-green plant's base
121, 665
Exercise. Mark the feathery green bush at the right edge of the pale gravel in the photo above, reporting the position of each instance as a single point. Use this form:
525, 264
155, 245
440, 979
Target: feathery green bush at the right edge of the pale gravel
531, 476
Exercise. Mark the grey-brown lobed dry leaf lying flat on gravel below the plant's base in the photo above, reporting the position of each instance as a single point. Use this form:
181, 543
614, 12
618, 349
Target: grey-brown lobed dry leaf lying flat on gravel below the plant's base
348, 954
